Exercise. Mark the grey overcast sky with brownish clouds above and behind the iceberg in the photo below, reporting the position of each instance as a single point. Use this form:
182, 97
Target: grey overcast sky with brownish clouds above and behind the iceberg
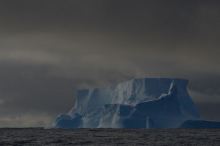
51, 48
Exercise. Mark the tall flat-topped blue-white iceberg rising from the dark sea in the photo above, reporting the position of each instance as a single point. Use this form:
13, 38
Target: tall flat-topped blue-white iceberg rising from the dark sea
138, 103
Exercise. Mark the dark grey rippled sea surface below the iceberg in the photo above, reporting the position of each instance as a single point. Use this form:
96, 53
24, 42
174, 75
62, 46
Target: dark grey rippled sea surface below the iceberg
166, 137
